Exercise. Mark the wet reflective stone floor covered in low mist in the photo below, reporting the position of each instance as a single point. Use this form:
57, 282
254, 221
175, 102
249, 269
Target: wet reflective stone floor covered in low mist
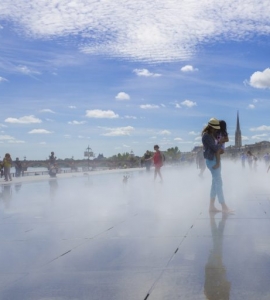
97, 238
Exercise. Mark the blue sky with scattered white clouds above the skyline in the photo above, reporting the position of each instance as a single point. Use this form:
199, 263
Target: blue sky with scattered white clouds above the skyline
122, 76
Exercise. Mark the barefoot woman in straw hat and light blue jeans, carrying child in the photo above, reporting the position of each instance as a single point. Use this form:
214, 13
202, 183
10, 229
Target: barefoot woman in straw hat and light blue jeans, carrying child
211, 147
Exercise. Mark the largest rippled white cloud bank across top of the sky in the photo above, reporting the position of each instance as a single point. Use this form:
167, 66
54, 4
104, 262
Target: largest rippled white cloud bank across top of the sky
165, 31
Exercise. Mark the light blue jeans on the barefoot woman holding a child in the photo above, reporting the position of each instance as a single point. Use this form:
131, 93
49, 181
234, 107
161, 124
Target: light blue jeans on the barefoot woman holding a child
216, 188
